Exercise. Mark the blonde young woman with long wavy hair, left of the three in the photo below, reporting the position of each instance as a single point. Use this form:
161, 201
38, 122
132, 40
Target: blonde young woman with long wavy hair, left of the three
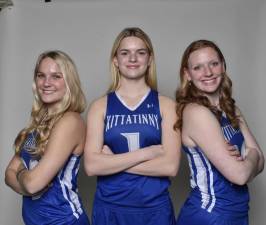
45, 166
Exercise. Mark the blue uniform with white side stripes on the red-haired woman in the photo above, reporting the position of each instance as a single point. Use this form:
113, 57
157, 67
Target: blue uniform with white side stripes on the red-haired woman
214, 200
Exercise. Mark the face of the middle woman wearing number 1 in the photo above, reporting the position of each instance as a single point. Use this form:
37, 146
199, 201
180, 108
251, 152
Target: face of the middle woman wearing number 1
132, 58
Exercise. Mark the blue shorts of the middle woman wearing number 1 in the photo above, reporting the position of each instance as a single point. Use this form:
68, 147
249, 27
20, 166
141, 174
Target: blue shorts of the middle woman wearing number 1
107, 214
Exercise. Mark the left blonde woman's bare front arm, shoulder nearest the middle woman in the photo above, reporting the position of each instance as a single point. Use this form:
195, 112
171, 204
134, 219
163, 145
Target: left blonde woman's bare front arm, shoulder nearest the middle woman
66, 137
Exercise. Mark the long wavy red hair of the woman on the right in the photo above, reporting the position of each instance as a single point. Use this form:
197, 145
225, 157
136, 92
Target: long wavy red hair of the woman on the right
188, 93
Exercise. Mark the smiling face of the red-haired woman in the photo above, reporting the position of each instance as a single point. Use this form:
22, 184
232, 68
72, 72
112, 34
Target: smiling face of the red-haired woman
205, 70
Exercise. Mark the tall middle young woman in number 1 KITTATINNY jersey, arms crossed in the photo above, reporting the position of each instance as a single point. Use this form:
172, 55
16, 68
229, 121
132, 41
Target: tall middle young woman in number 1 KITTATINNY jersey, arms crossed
131, 144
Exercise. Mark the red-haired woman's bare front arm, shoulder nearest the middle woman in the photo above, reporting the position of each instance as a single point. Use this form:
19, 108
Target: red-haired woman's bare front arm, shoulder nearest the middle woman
201, 128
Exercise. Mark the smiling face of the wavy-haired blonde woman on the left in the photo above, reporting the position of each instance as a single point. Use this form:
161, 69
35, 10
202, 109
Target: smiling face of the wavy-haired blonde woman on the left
50, 82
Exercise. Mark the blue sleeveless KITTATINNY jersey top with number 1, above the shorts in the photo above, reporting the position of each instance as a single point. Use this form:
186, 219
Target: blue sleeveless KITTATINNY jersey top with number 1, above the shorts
127, 130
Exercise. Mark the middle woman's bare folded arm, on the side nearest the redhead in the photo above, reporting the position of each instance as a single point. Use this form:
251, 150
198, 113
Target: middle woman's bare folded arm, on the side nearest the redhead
166, 164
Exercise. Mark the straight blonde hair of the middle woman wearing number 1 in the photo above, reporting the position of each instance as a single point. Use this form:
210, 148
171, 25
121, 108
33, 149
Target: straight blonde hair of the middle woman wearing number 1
150, 77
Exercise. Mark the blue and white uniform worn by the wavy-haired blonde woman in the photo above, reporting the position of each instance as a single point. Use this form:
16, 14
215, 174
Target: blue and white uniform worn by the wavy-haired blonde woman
60, 204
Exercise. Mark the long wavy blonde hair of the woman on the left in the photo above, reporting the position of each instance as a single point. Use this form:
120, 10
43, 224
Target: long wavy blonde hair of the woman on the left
41, 123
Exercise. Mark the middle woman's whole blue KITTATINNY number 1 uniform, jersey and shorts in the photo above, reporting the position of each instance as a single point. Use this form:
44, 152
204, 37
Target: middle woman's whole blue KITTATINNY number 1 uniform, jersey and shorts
124, 198
